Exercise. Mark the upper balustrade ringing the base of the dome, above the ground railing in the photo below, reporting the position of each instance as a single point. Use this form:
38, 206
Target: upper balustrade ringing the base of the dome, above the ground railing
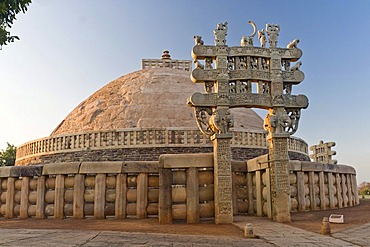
137, 138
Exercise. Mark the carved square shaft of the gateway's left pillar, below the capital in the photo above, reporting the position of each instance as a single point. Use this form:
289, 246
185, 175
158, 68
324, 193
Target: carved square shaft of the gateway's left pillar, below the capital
222, 179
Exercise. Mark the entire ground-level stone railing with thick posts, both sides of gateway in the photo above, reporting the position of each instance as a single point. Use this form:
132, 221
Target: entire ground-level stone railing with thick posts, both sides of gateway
178, 187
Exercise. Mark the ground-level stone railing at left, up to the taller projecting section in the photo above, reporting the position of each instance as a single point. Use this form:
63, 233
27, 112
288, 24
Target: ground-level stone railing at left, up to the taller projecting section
78, 190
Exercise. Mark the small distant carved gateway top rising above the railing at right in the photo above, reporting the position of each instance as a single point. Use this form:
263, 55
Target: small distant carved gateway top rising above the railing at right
322, 153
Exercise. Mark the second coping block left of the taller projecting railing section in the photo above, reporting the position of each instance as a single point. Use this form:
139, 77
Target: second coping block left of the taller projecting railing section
101, 167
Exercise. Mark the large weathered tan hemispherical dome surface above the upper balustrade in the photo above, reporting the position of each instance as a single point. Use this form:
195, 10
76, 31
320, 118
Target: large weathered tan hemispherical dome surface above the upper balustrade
148, 98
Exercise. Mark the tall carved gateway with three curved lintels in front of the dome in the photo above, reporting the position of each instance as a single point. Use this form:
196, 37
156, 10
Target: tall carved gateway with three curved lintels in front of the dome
248, 76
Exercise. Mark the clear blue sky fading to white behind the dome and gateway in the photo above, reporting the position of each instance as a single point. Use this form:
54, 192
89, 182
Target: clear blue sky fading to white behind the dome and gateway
69, 49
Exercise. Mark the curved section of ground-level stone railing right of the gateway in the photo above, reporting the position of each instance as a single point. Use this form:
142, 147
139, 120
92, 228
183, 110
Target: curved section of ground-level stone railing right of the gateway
317, 186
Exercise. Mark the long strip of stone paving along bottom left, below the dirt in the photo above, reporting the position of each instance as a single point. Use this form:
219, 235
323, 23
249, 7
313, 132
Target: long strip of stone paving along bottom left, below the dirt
64, 238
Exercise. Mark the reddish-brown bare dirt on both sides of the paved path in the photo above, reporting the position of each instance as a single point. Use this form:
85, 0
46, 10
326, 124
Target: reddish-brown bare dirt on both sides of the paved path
311, 221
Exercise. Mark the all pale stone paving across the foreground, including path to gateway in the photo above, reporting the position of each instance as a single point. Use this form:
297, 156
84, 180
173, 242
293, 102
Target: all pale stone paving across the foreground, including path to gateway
269, 234
